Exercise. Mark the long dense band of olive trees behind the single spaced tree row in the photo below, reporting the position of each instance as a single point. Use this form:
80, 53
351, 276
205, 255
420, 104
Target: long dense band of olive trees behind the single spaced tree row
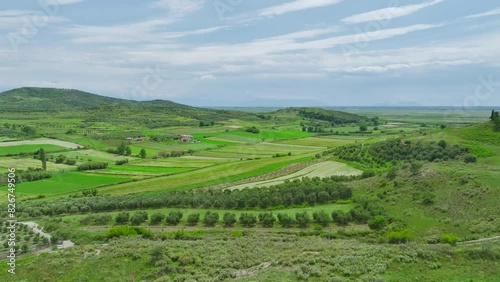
291, 193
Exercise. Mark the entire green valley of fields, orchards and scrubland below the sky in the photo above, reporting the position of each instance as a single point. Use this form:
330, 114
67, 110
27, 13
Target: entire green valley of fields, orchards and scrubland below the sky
167, 192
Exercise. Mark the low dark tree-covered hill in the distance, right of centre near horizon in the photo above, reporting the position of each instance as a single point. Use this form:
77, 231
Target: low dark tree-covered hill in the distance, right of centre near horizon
332, 116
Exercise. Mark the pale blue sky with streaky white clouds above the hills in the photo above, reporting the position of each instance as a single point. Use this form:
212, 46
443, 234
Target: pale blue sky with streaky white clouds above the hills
252, 53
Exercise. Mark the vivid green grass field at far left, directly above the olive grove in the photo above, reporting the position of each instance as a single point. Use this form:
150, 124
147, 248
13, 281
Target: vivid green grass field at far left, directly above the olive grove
67, 183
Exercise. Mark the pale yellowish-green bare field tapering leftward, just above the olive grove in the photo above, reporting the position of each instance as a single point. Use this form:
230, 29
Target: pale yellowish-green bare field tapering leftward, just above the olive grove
323, 169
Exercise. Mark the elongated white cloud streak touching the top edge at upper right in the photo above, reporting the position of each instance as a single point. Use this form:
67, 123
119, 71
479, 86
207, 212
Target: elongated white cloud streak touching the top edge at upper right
389, 13
